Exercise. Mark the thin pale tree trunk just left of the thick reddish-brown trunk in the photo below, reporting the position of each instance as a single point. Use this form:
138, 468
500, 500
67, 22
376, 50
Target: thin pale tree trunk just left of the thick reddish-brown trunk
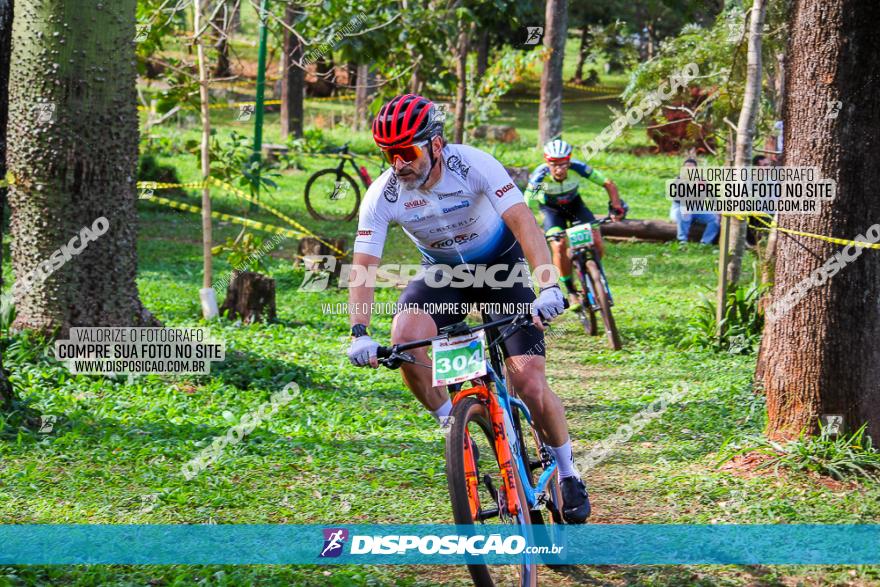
745, 131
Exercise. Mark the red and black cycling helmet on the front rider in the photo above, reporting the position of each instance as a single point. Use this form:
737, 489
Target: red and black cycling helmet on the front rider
404, 120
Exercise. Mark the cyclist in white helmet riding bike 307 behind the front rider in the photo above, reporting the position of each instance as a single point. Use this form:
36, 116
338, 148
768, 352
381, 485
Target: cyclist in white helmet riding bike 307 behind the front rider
562, 206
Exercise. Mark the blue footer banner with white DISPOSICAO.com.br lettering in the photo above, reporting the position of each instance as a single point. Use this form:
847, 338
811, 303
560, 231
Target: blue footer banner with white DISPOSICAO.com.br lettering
438, 544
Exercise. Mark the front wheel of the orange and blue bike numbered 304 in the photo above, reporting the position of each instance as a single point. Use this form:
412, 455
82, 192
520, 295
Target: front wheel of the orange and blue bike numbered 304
476, 490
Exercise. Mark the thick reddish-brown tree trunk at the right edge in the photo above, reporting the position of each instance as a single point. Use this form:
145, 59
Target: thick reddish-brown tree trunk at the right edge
821, 357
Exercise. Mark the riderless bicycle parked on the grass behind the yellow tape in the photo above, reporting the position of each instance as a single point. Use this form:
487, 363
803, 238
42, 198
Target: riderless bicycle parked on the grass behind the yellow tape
333, 194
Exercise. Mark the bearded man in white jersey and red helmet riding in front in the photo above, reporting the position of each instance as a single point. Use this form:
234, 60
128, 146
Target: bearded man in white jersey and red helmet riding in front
460, 207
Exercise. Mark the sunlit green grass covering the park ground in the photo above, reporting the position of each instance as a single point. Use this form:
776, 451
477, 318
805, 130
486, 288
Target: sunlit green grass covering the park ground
354, 446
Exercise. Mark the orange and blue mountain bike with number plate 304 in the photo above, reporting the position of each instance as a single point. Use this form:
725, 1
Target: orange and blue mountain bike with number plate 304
493, 451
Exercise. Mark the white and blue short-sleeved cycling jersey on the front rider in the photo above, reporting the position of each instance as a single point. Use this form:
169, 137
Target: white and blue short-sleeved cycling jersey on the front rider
458, 220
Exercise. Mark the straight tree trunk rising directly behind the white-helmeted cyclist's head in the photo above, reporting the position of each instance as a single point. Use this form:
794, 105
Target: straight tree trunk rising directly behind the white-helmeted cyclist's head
550, 109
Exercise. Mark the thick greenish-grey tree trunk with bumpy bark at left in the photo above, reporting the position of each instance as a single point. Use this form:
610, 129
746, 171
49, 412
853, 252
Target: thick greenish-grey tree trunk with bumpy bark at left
73, 147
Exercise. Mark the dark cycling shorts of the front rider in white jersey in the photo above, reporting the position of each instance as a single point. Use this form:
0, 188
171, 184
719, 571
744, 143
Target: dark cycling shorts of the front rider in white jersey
498, 302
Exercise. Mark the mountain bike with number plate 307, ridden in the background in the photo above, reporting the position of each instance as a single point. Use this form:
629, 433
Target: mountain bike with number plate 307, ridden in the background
591, 280
